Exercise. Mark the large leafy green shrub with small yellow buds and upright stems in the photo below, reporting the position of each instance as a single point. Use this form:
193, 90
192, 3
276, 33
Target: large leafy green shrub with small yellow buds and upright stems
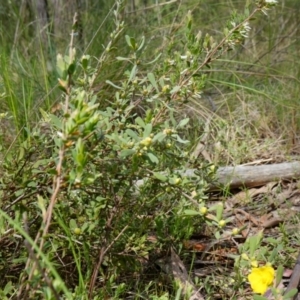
99, 198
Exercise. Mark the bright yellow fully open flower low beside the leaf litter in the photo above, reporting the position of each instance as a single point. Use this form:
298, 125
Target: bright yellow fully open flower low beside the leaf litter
261, 278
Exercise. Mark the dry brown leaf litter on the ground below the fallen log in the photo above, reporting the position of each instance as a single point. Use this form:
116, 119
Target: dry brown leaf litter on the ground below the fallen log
266, 208
